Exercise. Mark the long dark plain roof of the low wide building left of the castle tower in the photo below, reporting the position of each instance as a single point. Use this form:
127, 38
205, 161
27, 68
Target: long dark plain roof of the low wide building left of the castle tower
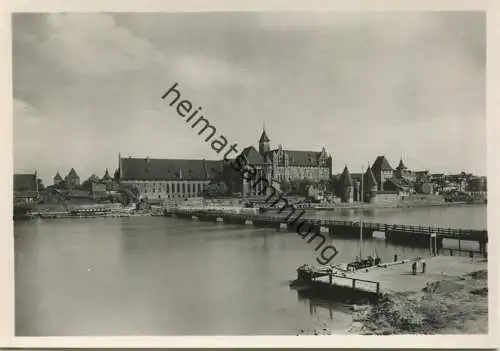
168, 169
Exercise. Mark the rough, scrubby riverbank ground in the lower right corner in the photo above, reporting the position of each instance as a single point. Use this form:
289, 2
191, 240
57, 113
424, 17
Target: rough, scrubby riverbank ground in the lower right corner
452, 305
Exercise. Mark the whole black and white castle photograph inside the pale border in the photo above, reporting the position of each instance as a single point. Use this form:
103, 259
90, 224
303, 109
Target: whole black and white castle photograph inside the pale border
230, 173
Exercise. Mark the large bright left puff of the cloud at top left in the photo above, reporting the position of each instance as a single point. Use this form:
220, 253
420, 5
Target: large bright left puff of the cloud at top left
92, 44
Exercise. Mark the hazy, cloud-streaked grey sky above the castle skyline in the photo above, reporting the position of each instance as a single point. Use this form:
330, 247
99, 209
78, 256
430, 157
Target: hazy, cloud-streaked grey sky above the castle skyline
87, 87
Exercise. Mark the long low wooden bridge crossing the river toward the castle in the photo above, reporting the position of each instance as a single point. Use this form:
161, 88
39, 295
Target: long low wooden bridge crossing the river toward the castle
418, 235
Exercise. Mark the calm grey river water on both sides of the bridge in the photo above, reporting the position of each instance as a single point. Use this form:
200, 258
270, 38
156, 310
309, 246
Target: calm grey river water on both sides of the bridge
165, 276
